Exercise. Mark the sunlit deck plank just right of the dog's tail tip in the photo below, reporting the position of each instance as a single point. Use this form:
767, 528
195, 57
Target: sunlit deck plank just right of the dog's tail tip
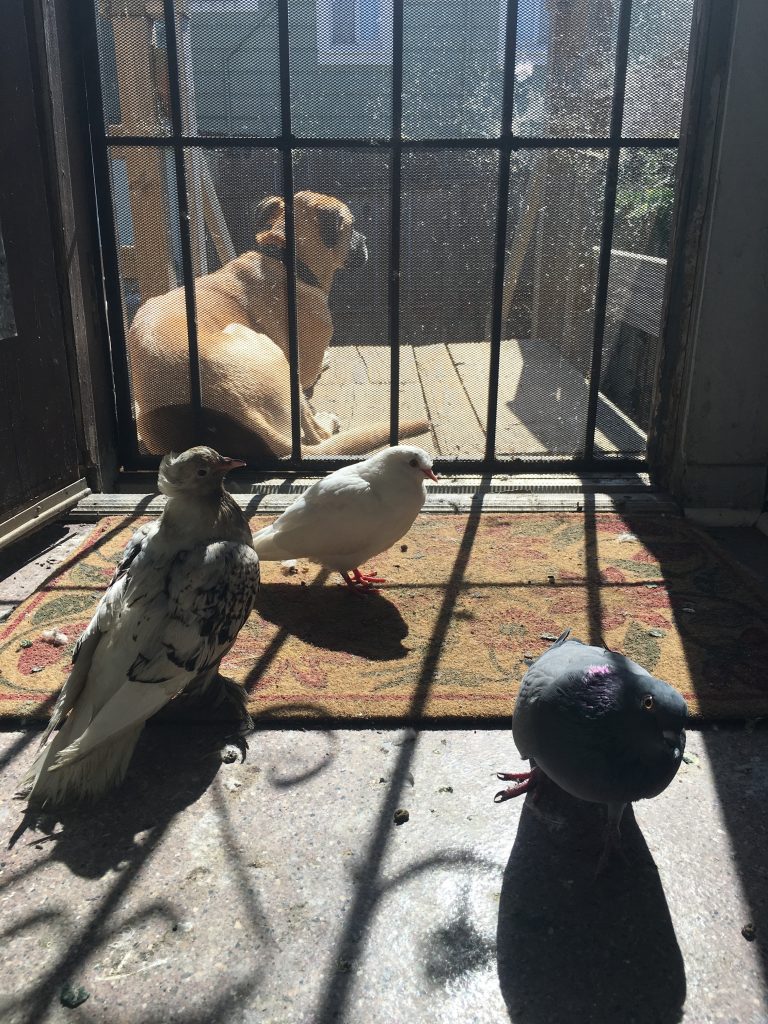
456, 428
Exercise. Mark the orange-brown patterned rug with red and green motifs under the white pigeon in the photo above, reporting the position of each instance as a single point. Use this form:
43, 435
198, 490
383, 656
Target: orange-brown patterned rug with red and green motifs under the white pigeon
471, 602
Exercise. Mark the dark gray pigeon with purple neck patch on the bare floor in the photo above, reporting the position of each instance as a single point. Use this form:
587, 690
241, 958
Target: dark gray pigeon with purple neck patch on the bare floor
599, 726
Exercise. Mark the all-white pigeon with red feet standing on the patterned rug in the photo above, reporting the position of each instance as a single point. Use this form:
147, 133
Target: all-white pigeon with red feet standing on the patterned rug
353, 515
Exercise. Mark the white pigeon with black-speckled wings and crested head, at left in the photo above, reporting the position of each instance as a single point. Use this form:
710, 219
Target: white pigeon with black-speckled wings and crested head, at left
186, 586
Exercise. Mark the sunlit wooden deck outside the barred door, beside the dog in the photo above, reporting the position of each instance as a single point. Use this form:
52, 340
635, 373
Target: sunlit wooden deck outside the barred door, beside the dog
542, 399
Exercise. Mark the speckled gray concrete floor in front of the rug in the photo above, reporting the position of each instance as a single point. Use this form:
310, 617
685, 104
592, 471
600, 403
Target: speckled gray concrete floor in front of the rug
281, 891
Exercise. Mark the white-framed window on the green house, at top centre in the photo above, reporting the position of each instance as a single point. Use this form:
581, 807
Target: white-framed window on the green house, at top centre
355, 31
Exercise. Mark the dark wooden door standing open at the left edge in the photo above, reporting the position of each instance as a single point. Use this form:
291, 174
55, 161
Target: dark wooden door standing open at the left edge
39, 447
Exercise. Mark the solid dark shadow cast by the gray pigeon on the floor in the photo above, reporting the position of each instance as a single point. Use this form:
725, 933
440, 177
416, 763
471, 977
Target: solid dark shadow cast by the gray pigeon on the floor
576, 950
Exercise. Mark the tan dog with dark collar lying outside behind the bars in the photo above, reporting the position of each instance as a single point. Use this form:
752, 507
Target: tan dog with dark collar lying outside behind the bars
243, 345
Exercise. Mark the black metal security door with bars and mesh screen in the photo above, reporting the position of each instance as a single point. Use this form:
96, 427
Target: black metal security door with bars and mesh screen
518, 277
